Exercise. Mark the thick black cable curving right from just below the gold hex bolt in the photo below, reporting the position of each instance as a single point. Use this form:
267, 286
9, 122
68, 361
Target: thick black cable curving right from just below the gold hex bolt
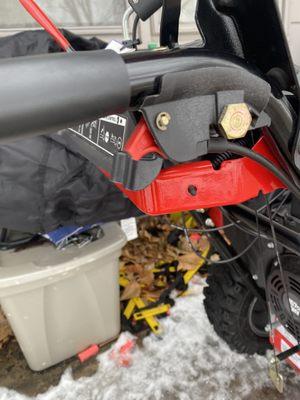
221, 146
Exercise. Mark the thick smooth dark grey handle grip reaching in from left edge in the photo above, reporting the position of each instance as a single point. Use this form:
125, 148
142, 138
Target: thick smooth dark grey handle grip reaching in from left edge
44, 94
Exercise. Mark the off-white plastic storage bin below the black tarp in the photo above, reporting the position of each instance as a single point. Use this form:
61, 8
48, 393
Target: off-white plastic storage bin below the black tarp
59, 302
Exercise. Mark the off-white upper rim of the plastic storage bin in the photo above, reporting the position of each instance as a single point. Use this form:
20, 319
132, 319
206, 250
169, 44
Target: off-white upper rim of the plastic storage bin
43, 263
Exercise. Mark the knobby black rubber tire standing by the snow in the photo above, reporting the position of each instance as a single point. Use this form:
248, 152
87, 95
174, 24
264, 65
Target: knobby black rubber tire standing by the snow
227, 304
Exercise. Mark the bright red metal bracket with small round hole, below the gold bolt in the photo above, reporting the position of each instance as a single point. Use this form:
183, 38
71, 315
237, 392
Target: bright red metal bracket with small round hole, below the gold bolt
235, 182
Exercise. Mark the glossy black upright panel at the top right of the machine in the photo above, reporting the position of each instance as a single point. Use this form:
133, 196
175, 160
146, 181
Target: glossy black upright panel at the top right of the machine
252, 30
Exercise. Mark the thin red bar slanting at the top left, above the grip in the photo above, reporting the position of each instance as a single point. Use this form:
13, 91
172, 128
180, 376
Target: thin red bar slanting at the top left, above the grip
38, 14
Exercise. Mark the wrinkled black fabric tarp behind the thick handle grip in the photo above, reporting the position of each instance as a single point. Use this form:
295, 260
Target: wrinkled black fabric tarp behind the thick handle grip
44, 185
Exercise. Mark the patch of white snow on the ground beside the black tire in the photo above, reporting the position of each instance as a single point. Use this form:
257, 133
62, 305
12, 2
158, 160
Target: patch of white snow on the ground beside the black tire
188, 363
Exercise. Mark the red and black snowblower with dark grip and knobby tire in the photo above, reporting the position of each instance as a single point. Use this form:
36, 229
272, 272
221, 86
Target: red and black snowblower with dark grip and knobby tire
212, 126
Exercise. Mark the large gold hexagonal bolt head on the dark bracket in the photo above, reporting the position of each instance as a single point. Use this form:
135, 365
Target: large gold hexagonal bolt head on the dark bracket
235, 121
